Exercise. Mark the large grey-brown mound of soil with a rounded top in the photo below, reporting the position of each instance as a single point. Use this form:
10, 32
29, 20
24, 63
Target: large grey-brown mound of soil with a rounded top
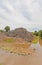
21, 33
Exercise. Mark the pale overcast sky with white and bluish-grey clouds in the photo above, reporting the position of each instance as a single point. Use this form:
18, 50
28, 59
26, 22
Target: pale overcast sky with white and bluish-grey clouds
21, 13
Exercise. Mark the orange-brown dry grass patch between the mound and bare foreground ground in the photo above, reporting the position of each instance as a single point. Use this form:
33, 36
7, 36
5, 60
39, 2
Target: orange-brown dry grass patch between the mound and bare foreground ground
14, 45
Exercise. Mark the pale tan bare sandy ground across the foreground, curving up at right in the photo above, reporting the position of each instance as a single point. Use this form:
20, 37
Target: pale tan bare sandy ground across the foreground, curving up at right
7, 58
